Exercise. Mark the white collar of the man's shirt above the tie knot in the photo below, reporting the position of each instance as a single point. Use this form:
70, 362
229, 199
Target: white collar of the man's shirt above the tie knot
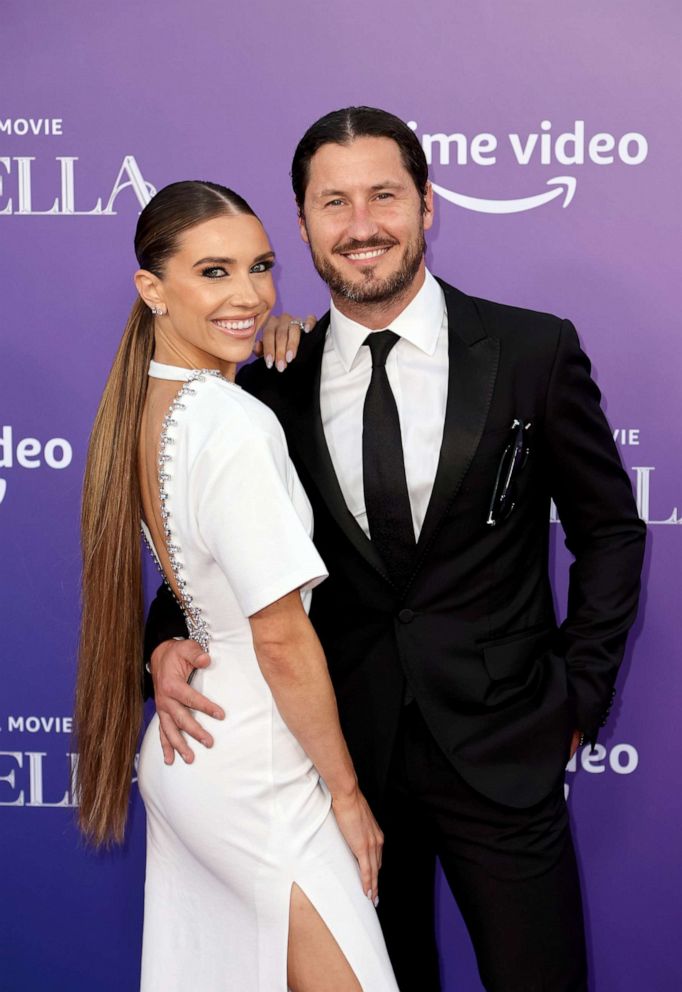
419, 323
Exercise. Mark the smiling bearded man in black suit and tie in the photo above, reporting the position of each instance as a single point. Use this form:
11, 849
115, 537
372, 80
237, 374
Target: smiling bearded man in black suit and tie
430, 454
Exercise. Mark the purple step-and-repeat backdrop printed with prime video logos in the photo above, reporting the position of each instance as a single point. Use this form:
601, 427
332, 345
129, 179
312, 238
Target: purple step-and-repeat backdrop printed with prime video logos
551, 132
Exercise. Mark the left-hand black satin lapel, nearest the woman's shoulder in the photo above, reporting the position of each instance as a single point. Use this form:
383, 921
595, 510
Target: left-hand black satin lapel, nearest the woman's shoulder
307, 436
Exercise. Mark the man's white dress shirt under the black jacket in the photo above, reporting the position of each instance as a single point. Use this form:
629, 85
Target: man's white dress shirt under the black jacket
417, 369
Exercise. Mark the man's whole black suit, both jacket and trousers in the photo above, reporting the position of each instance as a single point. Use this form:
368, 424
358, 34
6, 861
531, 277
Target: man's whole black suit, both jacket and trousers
500, 687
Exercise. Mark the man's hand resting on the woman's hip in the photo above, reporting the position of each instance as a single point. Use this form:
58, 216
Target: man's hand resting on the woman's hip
171, 665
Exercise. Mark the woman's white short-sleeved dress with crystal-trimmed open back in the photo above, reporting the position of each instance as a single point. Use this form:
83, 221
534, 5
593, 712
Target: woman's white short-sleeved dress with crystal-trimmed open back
228, 835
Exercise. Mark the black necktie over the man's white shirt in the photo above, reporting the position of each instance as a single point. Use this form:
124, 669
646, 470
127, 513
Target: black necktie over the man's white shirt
387, 500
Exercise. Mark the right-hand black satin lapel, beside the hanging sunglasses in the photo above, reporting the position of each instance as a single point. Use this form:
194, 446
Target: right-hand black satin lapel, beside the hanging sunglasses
473, 360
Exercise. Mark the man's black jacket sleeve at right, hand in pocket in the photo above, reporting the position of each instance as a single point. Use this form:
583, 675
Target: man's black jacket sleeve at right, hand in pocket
603, 531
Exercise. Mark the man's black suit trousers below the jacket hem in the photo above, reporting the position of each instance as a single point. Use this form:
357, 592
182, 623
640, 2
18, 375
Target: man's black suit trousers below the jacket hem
512, 873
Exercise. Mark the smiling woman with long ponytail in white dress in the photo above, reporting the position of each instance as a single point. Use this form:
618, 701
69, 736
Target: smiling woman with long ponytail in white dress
250, 878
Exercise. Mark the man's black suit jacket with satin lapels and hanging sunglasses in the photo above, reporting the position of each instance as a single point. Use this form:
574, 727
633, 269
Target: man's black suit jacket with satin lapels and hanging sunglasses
474, 632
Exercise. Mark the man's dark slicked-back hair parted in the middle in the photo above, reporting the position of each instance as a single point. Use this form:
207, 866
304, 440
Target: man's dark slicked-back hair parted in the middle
341, 127
